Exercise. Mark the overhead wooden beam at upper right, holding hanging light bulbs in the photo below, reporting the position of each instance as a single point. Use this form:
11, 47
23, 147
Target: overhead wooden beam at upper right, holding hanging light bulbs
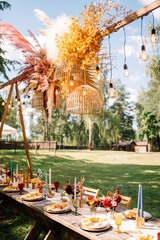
134, 16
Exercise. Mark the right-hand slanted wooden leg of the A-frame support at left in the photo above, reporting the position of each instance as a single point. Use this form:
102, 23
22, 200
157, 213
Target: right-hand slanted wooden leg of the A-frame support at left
24, 133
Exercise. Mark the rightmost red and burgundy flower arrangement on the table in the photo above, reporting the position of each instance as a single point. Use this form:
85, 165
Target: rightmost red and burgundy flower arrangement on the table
110, 203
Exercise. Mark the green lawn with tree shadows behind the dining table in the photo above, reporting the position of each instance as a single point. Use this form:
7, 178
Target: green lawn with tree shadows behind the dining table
101, 169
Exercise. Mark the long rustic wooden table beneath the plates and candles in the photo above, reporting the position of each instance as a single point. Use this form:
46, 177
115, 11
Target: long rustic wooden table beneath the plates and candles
66, 226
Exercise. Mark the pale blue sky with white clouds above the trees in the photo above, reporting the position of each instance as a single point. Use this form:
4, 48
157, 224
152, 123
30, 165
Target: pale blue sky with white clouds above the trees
22, 17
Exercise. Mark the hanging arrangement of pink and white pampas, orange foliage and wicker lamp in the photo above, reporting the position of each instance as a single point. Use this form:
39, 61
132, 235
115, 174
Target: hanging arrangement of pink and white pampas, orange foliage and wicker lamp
54, 72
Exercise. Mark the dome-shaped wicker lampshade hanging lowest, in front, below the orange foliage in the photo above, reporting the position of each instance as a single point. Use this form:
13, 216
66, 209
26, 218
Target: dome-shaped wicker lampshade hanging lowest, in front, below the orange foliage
84, 100
